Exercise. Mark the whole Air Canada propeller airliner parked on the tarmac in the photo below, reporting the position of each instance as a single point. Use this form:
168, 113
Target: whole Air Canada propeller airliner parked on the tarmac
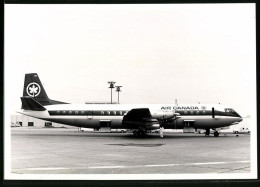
140, 119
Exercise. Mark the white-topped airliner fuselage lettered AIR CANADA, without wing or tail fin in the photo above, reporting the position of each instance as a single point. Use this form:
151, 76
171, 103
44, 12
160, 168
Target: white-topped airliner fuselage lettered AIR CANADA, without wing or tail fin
111, 115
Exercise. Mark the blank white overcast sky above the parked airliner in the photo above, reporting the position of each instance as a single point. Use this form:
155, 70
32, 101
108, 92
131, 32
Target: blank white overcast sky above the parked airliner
158, 53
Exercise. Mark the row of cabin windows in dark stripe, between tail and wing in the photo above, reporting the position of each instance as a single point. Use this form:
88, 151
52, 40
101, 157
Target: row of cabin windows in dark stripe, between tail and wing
92, 112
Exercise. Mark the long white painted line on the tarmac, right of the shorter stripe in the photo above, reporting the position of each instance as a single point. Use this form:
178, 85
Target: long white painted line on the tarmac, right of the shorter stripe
167, 165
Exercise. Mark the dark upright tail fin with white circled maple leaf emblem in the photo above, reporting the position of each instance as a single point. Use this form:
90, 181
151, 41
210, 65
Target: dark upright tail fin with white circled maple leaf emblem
34, 88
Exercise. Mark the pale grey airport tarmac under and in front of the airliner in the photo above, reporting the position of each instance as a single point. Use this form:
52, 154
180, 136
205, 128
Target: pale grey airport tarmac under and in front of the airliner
69, 151
